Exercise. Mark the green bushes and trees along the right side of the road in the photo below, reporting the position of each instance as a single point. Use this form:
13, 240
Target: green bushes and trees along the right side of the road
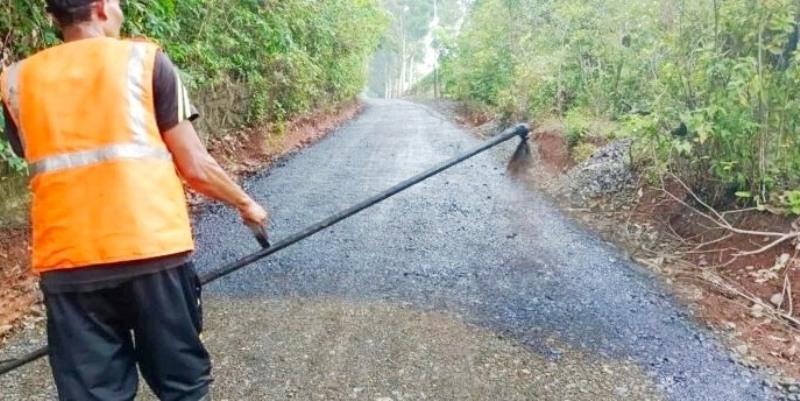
709, 87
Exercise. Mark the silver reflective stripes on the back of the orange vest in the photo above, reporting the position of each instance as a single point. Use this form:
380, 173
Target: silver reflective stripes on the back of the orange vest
138, 148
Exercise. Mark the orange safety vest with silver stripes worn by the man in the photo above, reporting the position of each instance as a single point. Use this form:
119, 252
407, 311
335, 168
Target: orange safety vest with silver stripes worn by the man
104, 186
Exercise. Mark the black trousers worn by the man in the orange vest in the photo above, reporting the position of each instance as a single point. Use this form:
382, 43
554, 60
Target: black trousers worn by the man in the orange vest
98, 338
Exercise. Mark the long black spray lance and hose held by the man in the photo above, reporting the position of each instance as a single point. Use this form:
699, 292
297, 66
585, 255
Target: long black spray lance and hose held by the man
520, 130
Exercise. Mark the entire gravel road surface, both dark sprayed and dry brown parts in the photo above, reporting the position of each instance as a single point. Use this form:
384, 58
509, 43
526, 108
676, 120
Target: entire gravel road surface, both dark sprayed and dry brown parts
466, 287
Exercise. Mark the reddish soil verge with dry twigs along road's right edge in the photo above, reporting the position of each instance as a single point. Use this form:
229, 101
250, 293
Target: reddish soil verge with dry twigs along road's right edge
749, 301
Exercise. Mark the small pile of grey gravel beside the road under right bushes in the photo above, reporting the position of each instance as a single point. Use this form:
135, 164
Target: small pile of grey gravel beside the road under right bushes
606, 172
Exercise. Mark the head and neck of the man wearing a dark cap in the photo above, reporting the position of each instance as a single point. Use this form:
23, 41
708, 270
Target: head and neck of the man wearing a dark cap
104, 15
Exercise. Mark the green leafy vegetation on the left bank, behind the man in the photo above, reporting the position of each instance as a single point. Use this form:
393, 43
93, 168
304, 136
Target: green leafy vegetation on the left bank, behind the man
294, 57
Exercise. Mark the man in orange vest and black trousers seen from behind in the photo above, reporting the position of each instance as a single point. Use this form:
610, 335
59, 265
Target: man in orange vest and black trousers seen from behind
103, 124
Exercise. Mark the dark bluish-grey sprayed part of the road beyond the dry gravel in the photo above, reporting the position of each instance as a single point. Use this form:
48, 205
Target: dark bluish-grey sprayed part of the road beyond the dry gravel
472, 242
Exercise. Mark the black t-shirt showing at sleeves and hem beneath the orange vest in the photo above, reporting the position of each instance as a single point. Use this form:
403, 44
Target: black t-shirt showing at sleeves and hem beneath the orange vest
172, 106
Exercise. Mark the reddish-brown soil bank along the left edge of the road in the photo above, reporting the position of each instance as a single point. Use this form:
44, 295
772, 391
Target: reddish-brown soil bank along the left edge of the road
241, 153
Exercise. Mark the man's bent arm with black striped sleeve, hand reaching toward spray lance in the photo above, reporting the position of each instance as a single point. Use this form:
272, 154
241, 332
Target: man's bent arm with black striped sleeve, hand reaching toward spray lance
174, 114
